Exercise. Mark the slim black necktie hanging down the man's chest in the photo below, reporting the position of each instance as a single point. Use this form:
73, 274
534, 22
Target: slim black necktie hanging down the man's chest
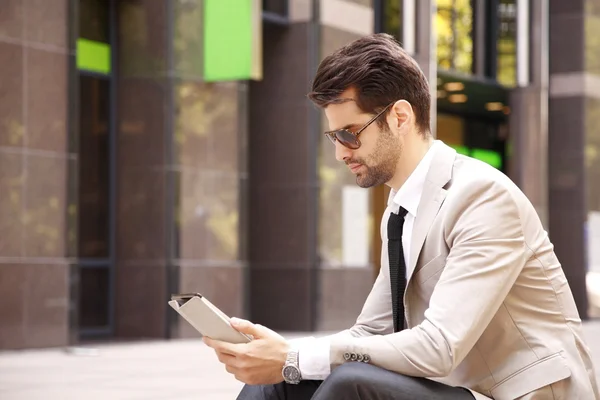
397, 267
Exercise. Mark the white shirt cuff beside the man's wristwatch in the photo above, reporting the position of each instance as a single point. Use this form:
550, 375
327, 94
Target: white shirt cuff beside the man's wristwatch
313, 357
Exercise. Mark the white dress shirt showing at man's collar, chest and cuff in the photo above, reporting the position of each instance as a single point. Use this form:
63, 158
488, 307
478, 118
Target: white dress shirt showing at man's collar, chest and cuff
313, 354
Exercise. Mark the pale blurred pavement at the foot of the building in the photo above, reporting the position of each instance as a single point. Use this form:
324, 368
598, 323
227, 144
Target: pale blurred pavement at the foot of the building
173, 370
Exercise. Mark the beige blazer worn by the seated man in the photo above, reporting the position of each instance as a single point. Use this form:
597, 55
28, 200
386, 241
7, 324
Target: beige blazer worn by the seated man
488, 306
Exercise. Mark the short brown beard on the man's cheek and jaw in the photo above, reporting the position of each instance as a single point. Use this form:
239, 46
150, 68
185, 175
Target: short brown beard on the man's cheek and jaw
380, 166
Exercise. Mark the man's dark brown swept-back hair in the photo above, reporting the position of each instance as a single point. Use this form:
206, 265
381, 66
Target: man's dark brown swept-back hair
380, 71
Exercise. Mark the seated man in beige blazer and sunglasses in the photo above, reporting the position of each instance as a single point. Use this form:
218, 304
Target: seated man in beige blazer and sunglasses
471, 301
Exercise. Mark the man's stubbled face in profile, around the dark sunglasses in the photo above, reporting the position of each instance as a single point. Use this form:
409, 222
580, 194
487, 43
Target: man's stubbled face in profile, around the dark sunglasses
375, 161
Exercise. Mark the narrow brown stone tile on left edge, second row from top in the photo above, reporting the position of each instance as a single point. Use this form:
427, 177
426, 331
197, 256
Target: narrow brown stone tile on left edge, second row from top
11, 93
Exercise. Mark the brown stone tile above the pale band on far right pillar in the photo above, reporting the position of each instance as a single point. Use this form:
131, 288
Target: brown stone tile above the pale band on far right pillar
567, 43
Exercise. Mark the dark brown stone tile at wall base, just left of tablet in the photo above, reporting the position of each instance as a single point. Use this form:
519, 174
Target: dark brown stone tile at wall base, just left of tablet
141, 301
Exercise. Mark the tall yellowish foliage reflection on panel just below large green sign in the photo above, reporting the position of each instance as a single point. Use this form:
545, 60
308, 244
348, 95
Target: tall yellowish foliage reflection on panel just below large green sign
207, 187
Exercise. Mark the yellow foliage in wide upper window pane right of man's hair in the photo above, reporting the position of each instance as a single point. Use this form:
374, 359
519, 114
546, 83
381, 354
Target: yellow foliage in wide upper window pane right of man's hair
454, 27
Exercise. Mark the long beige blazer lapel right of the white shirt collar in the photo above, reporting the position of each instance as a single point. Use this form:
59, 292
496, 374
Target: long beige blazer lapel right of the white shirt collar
432, 198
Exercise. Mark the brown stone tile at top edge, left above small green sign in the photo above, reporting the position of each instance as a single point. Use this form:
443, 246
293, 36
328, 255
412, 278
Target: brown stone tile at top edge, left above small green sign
47, 22
